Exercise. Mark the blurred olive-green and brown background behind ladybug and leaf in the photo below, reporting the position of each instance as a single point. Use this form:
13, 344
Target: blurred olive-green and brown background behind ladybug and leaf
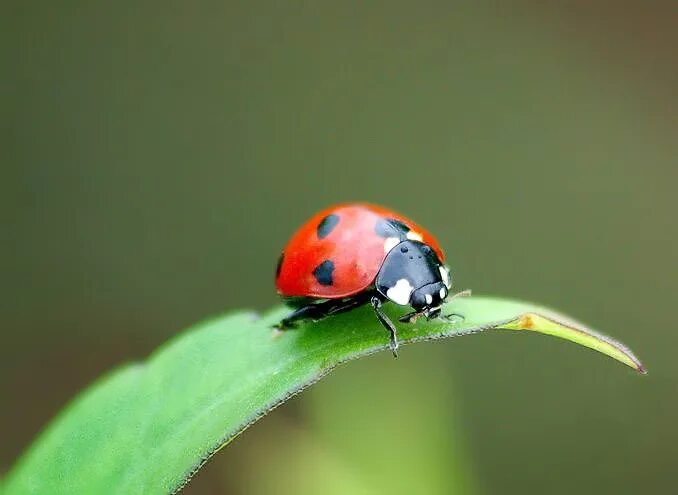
156, 156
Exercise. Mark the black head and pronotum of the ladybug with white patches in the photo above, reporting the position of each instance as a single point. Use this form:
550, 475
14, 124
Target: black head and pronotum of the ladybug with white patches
412, 274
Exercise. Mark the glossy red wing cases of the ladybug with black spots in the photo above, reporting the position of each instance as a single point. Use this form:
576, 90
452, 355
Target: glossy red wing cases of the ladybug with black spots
350, 241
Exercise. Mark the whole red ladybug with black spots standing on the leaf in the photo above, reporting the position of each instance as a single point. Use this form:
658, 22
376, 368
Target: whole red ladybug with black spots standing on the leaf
358, 253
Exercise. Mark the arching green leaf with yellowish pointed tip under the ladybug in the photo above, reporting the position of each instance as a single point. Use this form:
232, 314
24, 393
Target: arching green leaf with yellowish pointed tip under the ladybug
147, 428
